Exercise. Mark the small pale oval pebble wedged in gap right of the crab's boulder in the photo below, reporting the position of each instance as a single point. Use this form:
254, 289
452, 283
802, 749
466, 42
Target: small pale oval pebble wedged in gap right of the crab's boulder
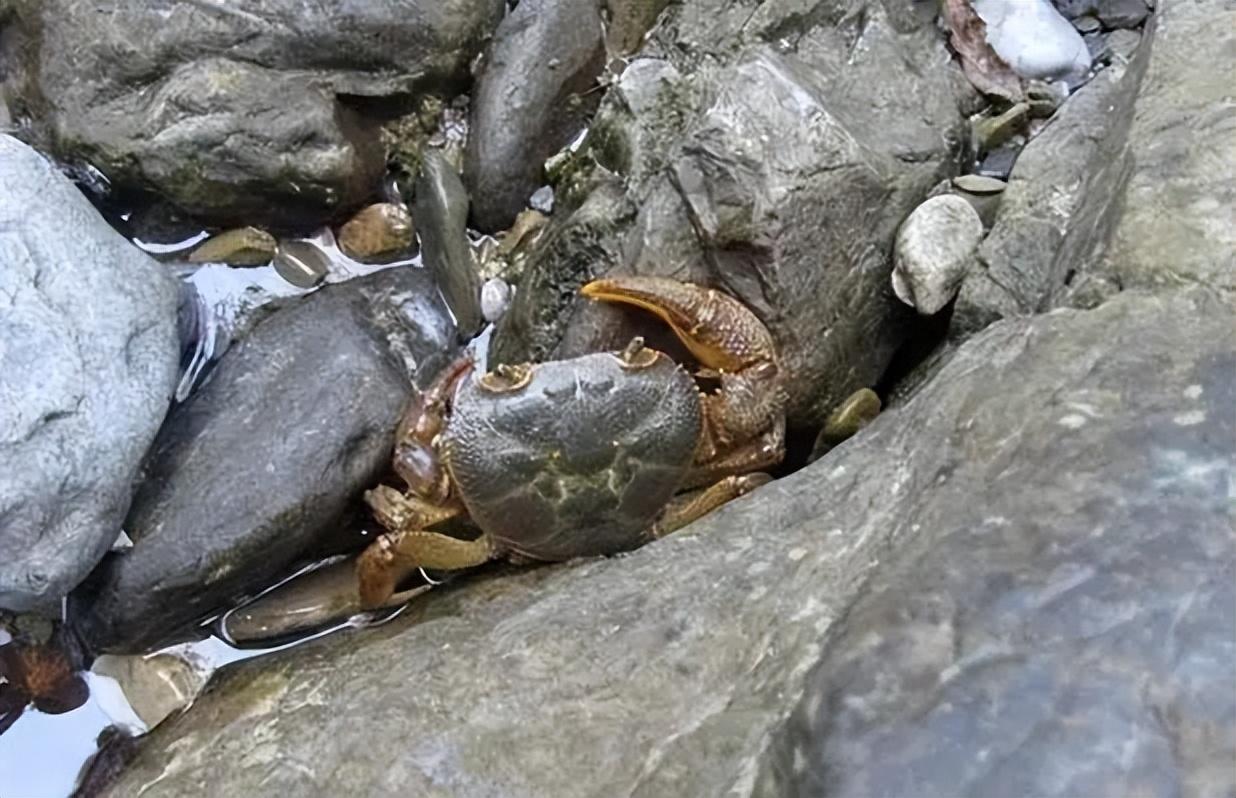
933, 253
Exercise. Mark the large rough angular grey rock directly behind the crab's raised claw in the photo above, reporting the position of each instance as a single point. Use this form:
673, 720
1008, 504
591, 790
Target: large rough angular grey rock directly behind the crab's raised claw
711, 190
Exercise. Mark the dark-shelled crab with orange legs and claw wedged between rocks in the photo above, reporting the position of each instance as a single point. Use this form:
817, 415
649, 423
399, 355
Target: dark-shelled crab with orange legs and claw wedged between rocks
588, 456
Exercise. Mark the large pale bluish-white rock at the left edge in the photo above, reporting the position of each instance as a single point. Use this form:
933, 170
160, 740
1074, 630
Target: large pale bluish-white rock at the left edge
88, 364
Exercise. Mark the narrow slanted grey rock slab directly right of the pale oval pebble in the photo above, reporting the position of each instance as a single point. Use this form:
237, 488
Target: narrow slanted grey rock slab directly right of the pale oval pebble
1059, 204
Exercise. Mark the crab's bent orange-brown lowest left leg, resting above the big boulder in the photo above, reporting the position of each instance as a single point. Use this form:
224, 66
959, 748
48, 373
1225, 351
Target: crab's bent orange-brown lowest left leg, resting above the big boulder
395, 556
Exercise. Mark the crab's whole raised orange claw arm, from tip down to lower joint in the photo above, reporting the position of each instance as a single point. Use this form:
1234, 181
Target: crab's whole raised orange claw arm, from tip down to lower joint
745, 422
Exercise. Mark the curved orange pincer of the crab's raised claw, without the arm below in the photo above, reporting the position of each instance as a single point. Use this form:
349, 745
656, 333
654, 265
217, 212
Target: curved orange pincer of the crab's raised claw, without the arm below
719, 330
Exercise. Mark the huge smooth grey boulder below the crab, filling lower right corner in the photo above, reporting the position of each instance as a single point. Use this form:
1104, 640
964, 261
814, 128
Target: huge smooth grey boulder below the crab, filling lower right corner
1090, 590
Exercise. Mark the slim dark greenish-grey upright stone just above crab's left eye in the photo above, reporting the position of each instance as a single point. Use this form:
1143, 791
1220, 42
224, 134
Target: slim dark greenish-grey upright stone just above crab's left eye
442, 217
